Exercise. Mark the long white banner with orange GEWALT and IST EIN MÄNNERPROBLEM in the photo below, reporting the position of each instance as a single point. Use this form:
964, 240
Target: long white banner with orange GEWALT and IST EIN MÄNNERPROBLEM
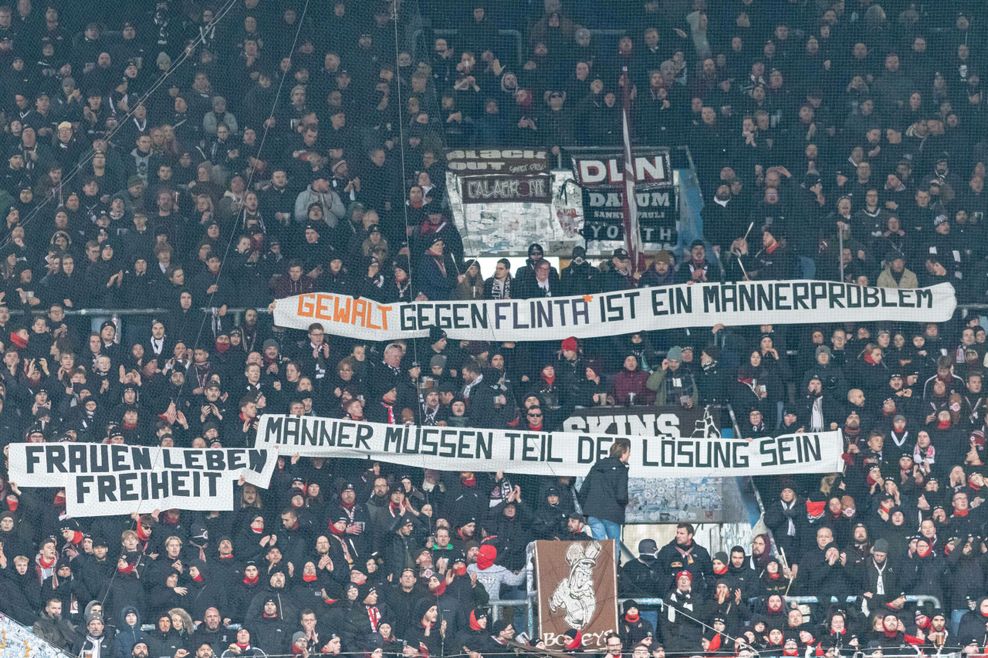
625, 311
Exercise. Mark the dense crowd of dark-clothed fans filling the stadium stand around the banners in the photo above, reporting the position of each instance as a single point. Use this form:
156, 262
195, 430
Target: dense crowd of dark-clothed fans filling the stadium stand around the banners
200, 157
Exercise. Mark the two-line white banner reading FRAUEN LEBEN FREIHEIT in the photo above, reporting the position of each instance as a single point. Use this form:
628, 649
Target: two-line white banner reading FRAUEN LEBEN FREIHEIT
105, 480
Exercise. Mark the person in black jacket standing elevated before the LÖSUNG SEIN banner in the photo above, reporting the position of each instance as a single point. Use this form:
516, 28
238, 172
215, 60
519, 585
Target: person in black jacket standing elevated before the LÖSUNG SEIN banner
604, 494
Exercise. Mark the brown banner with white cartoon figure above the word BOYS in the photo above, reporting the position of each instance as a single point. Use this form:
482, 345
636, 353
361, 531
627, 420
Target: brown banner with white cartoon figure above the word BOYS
577, 588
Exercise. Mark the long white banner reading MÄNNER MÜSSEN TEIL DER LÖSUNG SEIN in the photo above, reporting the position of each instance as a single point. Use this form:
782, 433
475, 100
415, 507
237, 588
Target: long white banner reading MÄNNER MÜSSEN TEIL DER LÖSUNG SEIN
541, 453
